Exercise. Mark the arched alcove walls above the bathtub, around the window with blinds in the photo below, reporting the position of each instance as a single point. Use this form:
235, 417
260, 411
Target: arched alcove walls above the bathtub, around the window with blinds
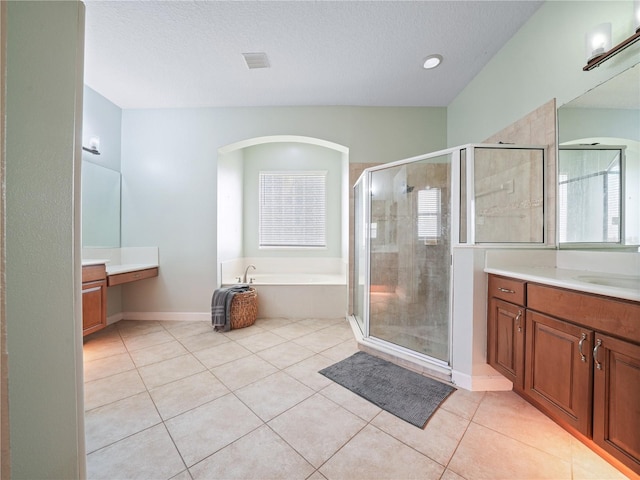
238, 166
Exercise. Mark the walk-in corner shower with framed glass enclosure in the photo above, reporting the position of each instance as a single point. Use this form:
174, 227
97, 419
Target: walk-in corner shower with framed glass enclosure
408, 218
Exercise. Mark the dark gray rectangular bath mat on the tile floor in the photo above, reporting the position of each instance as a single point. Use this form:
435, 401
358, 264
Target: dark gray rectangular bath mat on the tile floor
401, 392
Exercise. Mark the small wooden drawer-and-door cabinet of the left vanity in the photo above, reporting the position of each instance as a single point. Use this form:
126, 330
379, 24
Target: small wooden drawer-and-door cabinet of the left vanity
94, 298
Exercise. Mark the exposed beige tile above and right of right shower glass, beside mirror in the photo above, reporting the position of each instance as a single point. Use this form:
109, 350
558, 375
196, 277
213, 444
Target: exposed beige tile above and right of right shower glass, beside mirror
538, 128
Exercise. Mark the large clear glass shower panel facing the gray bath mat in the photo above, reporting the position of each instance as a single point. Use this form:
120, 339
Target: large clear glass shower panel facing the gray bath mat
410, 252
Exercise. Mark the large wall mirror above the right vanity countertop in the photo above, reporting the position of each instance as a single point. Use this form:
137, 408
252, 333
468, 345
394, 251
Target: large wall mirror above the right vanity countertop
599, 166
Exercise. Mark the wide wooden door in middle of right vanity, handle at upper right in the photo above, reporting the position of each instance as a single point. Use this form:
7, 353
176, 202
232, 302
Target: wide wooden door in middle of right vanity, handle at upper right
558, 370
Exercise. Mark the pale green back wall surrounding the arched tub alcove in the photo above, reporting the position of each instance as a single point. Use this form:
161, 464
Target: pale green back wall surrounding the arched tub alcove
170, 168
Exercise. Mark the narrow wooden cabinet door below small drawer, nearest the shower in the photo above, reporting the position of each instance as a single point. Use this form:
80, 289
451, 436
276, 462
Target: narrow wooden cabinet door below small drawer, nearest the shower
505, 345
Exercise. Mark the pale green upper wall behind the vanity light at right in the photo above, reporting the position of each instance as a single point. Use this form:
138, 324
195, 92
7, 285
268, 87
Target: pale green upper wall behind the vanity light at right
543, 60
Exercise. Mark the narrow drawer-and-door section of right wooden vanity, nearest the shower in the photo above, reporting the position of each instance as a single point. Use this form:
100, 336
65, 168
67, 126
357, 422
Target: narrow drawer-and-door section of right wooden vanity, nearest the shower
506, 328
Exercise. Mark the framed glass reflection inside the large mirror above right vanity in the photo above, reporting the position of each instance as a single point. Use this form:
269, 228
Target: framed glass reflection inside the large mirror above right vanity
590, 188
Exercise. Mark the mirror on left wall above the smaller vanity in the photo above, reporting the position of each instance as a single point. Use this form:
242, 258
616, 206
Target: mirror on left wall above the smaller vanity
100, 206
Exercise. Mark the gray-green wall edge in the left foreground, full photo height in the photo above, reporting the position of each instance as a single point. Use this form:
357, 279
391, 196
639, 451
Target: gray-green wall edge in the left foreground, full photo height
43, 118
